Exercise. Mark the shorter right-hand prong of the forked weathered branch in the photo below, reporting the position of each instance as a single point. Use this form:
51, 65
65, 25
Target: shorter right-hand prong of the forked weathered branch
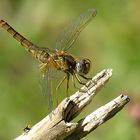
98, 117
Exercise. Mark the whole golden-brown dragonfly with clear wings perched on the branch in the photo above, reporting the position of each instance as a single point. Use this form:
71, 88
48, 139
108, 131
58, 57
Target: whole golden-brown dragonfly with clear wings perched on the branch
59, 58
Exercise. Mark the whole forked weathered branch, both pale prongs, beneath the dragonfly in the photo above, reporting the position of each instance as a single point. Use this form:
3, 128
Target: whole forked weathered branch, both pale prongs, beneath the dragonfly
57, 125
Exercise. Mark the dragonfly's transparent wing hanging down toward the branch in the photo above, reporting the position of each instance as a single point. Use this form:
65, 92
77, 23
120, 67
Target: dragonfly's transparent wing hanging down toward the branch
46, 88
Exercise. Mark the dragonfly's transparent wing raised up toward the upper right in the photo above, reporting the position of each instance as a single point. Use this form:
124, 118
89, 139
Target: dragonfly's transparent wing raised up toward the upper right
72, 31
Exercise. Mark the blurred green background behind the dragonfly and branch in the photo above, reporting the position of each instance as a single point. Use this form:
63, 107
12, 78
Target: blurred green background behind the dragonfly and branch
111, 40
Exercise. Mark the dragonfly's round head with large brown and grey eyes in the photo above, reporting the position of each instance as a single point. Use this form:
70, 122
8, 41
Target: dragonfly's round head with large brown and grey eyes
82, 66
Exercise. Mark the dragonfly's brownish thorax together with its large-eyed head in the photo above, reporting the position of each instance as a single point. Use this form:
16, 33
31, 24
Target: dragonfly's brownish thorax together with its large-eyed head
67, 63
